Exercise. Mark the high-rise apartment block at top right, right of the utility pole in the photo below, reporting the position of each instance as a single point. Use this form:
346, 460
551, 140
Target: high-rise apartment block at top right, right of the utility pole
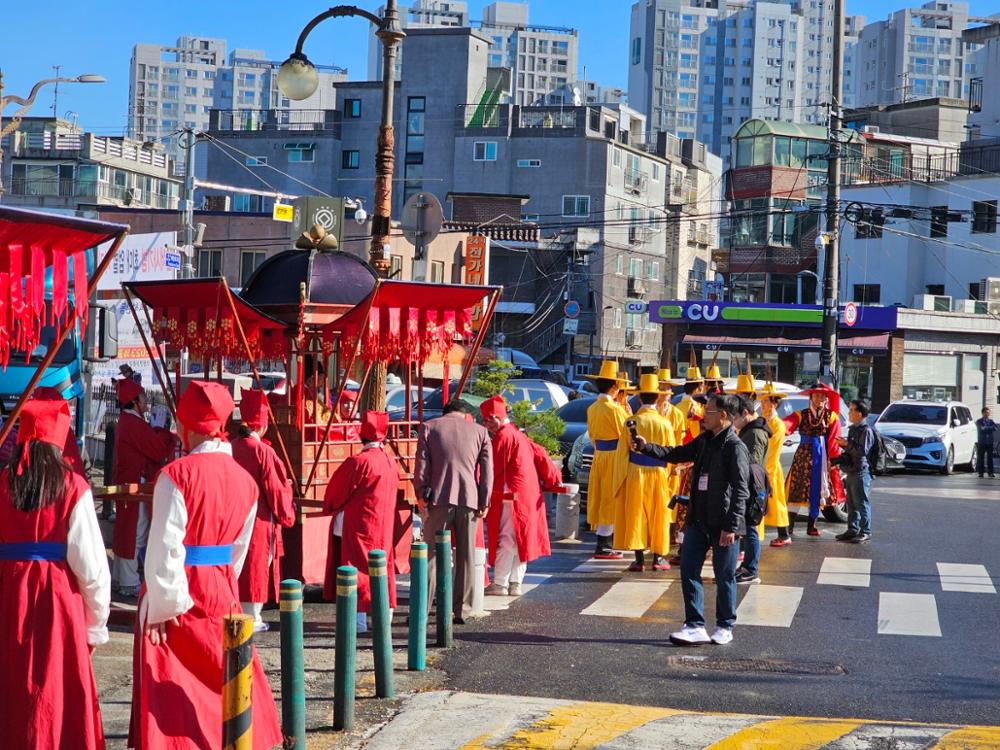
917, 53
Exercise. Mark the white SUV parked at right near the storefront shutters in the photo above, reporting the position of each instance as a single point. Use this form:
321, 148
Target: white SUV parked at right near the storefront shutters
937, 434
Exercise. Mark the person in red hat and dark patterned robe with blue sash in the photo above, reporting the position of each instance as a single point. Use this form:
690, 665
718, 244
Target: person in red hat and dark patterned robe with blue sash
810, 480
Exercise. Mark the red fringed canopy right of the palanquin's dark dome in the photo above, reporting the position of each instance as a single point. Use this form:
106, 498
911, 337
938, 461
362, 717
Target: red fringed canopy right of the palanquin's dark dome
407, 321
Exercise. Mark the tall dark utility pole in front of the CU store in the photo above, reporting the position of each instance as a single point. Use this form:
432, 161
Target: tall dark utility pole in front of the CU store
831, 303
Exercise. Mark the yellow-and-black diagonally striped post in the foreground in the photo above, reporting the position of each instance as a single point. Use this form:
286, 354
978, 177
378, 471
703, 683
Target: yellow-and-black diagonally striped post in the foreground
237, 685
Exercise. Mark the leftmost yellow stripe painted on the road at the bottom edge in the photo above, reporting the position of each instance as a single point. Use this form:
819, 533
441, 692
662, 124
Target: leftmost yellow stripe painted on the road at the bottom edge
578, 726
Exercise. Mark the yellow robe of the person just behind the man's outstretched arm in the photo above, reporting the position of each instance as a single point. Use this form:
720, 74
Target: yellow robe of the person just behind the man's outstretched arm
643, 519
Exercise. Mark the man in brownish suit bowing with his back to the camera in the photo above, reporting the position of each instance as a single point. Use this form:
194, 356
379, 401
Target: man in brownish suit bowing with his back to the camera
453, 479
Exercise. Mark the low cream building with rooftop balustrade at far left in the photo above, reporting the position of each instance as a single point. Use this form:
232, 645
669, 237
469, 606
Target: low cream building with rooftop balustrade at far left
50, 163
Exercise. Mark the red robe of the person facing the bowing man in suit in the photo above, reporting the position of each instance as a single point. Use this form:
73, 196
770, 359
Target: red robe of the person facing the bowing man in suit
514, 474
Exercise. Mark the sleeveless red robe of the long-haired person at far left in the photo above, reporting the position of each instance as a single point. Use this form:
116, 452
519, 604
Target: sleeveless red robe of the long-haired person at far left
49, 697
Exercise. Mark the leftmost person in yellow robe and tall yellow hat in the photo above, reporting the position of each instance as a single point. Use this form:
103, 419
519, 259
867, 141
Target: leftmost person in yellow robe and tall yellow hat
605, 424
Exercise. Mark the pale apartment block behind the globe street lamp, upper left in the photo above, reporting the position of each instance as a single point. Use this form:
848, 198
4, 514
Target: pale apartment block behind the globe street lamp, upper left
175, 87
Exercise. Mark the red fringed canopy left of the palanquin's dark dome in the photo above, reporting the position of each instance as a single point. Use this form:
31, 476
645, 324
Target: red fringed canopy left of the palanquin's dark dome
196, 314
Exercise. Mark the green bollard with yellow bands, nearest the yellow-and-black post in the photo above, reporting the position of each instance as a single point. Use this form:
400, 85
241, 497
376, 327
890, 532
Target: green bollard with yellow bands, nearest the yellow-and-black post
293, 687
